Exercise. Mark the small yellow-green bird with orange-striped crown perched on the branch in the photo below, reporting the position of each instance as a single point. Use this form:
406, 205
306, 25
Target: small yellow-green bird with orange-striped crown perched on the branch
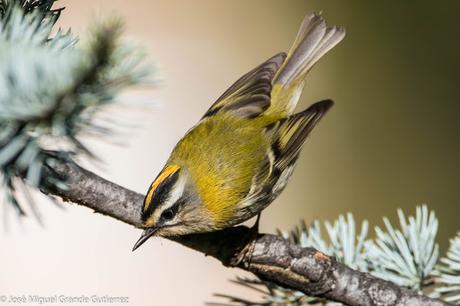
238, 158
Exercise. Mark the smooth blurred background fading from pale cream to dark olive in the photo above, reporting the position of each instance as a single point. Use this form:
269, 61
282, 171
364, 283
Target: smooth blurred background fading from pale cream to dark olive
391, 141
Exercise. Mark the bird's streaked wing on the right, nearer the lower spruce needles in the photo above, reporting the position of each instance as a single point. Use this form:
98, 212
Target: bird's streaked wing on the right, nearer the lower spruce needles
288, 136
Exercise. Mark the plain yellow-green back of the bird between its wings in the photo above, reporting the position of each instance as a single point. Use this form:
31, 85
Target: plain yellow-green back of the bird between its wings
222, 155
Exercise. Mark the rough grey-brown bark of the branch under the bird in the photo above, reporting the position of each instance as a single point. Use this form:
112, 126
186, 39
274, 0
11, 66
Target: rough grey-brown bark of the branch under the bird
271, 258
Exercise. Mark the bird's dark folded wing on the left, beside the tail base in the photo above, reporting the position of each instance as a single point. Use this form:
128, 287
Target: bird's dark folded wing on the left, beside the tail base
250, 95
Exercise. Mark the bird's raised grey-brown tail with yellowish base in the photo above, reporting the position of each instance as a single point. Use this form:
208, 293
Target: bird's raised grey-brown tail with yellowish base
313, 40
